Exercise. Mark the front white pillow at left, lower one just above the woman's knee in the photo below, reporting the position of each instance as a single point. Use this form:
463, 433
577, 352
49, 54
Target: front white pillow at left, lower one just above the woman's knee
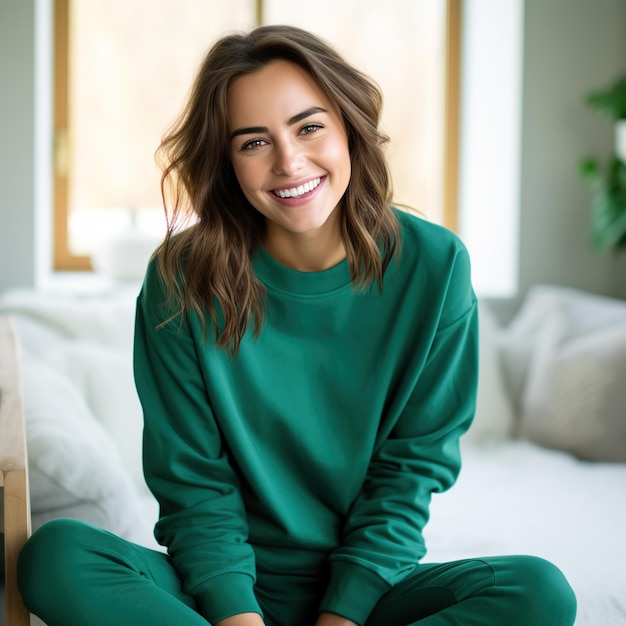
71, 454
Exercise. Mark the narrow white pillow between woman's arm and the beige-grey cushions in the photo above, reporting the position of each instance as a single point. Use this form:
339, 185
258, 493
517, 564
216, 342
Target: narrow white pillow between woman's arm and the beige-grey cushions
494, 415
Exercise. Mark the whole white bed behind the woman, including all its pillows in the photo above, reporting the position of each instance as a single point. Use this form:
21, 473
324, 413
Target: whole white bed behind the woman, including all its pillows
555, 376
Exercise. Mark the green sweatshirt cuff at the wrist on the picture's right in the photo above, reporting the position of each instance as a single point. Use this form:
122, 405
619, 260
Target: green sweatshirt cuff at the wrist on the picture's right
353, 591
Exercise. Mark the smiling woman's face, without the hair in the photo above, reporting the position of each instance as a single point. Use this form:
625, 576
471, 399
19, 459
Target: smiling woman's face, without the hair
289, 150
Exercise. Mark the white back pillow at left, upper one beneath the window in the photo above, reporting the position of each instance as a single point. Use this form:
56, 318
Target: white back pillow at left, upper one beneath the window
88, 339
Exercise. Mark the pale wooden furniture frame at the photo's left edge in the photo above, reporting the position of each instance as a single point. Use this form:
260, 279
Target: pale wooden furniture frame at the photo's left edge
13, 469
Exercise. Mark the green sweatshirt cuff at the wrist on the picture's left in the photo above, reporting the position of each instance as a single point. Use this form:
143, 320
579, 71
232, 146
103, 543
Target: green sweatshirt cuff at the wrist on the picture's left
226, 595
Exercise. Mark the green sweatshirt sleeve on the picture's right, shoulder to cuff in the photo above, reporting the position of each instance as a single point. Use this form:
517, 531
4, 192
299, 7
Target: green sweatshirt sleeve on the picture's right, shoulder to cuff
417, 456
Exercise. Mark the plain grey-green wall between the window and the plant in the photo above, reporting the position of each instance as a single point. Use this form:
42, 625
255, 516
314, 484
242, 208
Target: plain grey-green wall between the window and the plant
570, 48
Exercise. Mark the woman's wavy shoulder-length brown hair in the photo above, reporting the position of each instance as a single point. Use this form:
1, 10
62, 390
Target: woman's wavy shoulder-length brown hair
207, 267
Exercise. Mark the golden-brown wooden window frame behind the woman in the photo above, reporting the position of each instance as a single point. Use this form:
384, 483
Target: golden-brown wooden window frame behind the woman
64, 260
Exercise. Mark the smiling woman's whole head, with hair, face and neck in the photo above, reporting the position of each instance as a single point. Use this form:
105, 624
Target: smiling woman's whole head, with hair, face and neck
216, 186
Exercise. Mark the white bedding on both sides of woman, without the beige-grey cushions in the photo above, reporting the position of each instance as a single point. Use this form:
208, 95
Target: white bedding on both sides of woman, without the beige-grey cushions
84, 429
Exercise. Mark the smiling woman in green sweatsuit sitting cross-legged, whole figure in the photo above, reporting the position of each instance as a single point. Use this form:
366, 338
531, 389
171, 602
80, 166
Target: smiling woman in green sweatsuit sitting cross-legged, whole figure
294, 447
